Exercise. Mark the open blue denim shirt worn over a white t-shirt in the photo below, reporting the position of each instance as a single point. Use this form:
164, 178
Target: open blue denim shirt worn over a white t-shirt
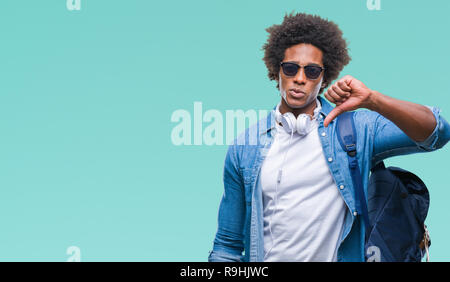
240, 215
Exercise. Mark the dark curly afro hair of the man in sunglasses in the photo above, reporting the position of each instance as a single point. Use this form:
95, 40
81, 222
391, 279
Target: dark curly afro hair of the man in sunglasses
309, 29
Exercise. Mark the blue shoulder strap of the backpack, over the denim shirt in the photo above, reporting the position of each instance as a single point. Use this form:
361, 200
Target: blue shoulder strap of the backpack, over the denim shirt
347, 138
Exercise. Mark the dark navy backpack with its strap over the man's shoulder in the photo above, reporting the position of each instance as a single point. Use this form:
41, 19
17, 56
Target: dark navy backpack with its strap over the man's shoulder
396, 208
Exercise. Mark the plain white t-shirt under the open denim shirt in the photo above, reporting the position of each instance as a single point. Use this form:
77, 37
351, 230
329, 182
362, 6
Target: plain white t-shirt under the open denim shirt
308, 221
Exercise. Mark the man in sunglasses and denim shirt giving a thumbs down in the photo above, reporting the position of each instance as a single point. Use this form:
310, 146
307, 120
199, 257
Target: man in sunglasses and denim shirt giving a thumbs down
288, 190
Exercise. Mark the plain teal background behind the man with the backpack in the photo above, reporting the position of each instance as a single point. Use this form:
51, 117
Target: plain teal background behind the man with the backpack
86, 98
